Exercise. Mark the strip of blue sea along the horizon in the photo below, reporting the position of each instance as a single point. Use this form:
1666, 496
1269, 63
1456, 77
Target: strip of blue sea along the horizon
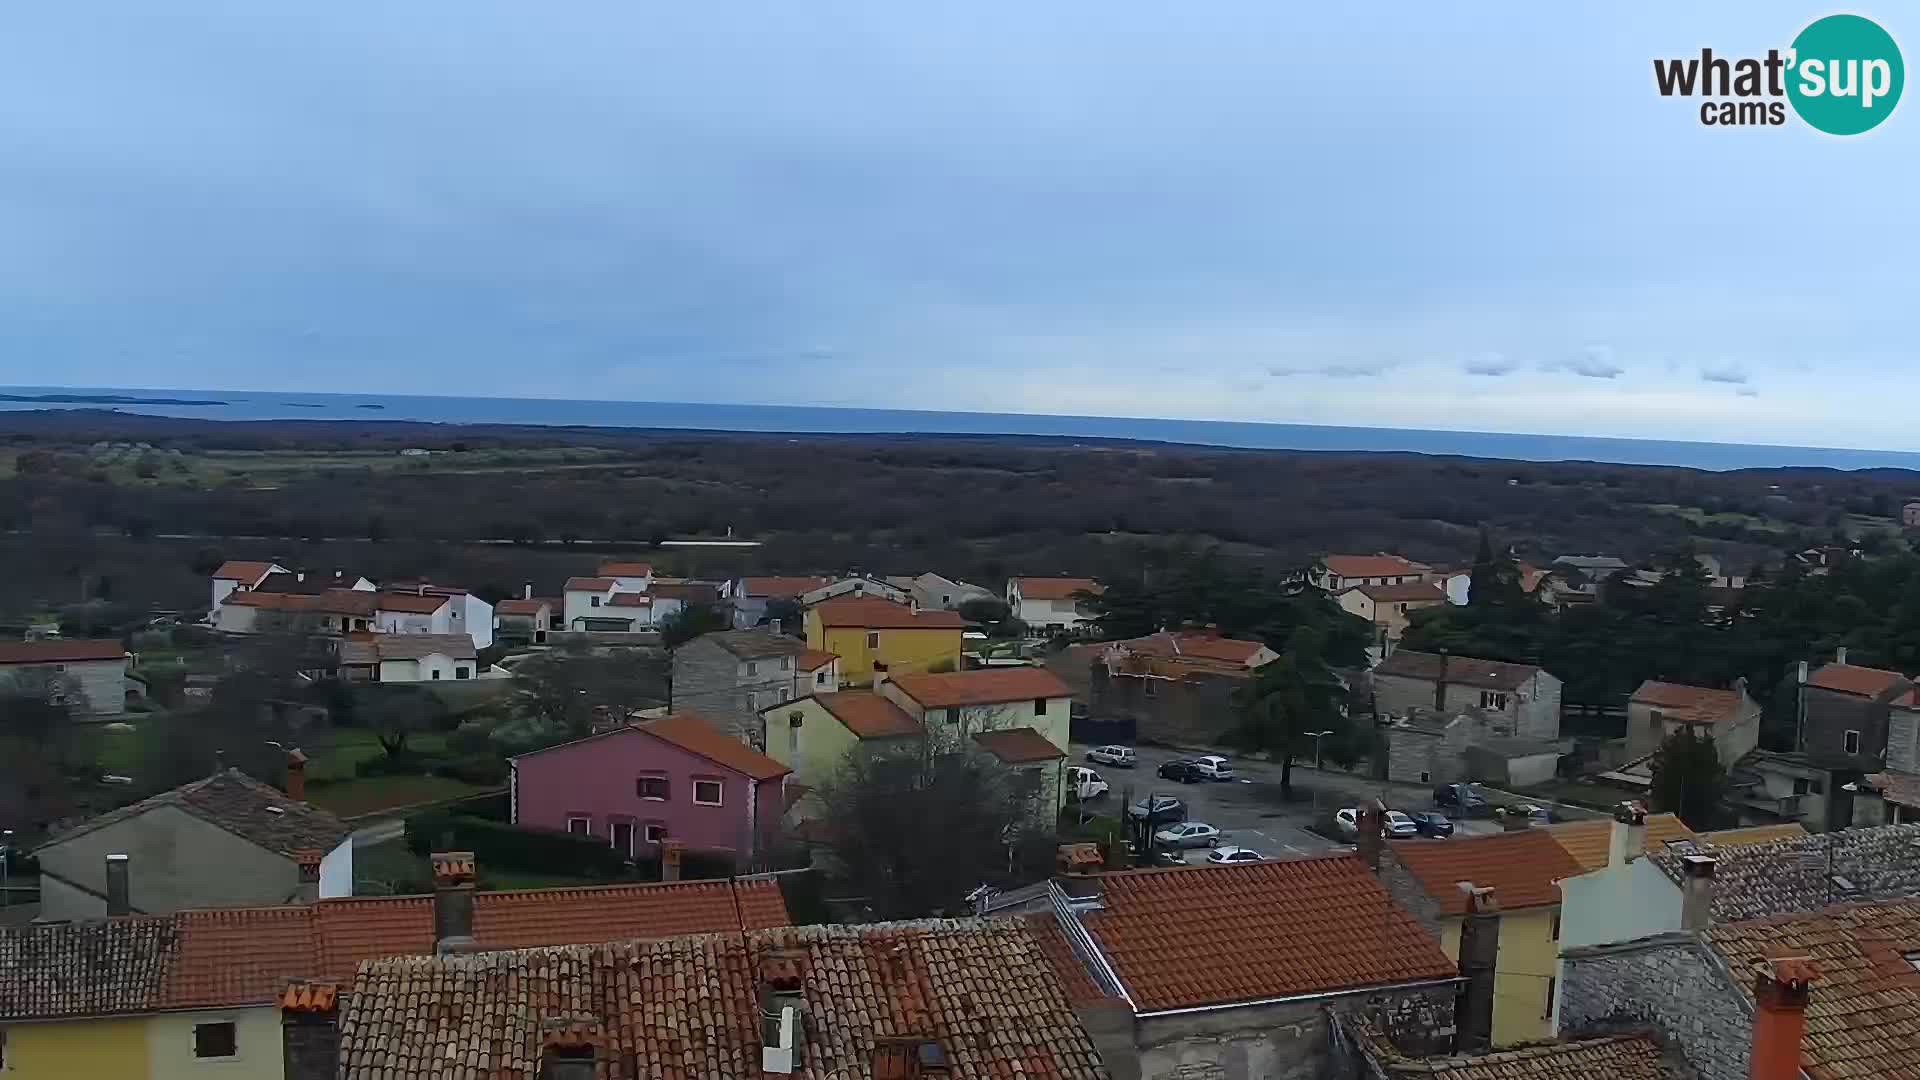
819, 420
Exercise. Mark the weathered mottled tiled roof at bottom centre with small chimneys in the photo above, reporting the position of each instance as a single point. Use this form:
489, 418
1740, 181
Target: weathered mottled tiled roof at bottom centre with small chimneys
688, 1006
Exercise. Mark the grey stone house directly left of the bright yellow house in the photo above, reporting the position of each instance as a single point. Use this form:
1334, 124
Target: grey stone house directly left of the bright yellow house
731, 675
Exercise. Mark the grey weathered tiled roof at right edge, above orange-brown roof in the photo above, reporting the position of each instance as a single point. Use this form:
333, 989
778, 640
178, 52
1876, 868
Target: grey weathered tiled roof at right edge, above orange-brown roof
1812, 873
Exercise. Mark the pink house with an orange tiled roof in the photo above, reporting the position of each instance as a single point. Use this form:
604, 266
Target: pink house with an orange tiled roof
667, 779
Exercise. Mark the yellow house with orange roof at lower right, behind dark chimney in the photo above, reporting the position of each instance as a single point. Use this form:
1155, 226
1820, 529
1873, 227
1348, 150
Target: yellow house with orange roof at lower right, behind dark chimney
1522, 868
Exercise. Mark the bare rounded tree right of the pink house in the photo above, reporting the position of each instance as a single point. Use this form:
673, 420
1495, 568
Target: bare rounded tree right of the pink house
919, 823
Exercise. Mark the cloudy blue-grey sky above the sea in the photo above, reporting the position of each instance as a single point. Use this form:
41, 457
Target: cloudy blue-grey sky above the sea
1385, 216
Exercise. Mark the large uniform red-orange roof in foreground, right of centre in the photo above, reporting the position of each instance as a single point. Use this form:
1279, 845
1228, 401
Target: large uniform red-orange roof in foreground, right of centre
1220, 935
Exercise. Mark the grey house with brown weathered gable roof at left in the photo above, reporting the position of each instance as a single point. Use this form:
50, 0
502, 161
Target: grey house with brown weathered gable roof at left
226, 841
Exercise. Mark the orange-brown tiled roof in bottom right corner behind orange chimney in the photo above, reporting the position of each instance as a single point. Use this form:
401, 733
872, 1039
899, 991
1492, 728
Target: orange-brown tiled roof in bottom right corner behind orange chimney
1863, 1018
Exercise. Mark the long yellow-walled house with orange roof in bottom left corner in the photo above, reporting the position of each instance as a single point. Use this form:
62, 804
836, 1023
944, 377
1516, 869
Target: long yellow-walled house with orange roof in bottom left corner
254, 993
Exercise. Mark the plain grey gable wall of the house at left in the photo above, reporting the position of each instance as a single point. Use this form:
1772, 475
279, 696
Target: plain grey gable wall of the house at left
176, 862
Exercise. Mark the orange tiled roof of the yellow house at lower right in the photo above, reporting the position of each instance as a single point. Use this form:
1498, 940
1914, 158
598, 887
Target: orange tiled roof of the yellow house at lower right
1522, 868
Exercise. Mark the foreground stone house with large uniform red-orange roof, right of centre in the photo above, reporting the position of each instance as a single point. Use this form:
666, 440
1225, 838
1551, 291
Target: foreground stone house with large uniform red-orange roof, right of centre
1245, 971
